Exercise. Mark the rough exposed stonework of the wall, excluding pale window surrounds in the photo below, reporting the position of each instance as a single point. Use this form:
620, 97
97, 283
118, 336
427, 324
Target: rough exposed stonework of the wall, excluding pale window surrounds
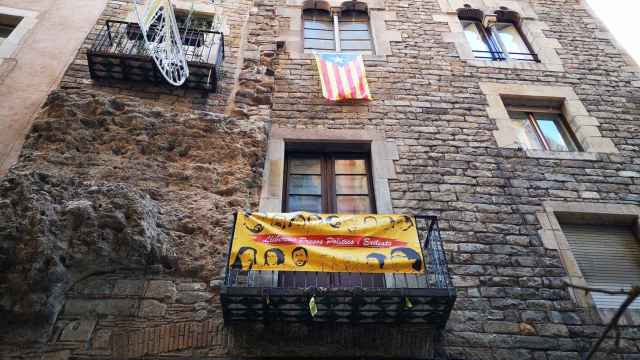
193, 168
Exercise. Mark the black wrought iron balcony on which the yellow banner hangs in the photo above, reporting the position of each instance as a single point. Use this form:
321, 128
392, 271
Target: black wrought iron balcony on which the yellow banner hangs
397, 298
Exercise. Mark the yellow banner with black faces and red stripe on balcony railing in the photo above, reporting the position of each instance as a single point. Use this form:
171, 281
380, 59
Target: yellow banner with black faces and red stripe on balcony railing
304, 241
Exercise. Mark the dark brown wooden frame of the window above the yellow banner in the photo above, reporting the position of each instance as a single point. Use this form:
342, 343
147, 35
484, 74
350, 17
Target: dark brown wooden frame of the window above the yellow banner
328, 177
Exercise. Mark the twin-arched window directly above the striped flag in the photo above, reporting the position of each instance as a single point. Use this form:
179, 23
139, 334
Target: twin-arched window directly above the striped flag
348, 31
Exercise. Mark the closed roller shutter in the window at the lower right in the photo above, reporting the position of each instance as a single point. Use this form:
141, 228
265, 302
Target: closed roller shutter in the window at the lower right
608, 257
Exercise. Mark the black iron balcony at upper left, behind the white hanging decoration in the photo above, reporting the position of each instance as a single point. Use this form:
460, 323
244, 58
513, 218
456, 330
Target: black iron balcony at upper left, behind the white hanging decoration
119, 53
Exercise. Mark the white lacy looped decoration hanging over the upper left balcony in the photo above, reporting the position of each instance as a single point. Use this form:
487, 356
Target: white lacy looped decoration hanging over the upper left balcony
162, 39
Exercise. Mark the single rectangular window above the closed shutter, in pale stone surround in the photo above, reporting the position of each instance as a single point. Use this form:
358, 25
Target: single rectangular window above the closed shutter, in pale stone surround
542, 129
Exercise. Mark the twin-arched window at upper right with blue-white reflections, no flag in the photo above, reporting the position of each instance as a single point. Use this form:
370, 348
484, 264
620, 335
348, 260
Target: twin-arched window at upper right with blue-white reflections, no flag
500, 40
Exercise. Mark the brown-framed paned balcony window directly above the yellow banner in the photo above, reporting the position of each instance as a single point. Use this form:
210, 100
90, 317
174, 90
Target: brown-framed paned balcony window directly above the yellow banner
326, 182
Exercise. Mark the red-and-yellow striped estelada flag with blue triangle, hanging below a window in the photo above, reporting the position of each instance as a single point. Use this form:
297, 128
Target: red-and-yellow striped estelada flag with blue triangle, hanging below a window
342, 76
